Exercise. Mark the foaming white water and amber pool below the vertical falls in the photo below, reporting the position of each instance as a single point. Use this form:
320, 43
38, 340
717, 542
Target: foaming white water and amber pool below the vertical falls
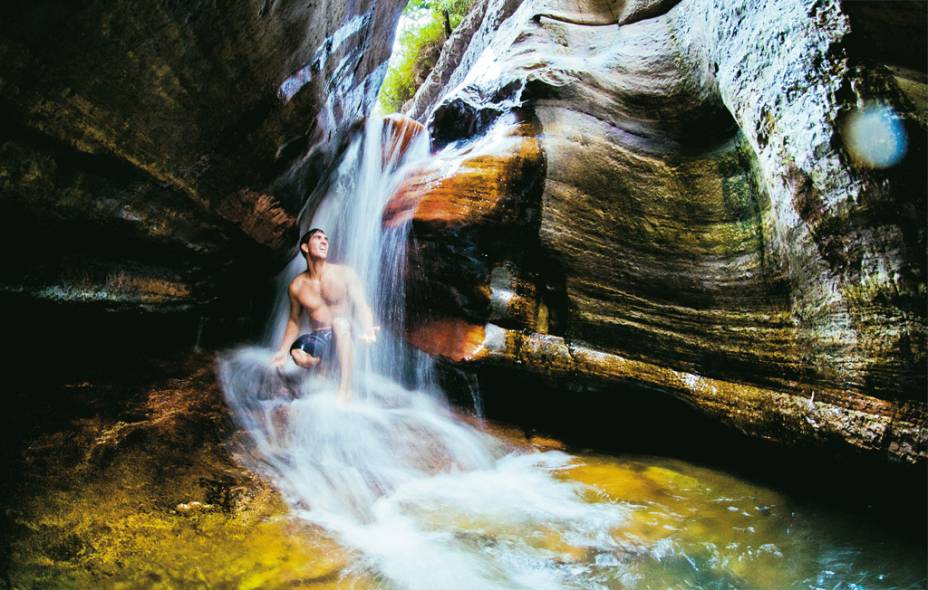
516, 515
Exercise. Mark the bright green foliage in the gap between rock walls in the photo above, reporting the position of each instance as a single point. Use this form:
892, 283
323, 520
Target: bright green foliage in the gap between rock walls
424, 29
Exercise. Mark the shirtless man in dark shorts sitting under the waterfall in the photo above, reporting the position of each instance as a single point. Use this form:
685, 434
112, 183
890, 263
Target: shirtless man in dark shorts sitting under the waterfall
329, 293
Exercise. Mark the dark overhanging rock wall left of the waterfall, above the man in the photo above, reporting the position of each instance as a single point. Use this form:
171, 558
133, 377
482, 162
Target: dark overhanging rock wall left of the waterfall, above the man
141, 141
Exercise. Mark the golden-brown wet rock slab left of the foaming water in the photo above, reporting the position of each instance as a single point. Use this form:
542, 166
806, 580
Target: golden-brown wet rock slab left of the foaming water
138, 485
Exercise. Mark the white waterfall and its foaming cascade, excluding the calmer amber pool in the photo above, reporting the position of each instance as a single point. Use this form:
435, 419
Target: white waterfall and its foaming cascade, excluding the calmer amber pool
424, 499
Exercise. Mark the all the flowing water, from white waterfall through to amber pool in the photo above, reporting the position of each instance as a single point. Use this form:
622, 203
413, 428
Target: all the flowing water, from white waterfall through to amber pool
421, 498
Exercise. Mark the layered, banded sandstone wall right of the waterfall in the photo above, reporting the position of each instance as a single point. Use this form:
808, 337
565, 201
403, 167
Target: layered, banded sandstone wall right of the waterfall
698, 223
